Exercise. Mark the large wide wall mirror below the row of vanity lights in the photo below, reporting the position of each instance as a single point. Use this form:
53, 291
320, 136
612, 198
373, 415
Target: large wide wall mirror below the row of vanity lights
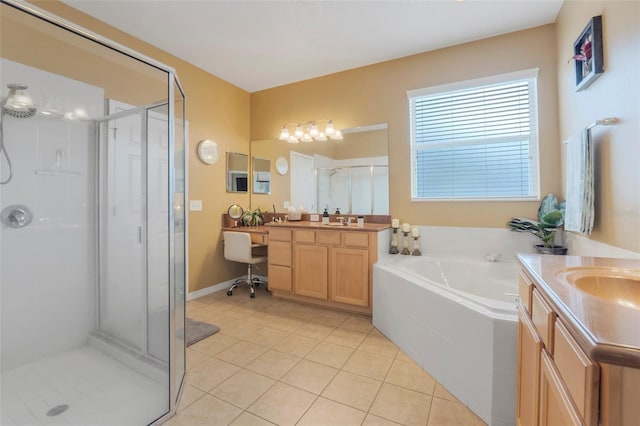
351, 174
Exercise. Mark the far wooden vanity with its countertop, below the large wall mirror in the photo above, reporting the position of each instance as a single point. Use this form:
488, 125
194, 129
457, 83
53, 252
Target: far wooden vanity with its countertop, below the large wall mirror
326, 265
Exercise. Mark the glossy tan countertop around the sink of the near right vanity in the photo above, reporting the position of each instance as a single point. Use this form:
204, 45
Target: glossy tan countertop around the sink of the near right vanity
609, 332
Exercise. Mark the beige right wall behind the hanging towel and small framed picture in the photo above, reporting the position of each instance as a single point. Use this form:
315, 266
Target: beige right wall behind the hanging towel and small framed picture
616, 93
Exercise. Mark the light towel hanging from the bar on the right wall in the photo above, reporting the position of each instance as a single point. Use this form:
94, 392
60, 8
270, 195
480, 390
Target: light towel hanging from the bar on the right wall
580, 212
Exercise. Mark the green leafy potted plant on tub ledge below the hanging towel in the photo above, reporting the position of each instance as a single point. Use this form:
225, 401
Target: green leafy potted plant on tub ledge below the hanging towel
550, 218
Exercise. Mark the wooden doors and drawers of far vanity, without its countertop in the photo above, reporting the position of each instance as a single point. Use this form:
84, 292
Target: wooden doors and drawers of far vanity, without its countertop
332, 267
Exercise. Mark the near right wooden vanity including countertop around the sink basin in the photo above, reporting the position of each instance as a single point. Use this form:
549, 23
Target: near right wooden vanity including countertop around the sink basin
575, 367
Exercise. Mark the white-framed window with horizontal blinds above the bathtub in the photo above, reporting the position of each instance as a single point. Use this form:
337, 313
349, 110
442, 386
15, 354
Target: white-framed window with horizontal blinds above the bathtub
475, 140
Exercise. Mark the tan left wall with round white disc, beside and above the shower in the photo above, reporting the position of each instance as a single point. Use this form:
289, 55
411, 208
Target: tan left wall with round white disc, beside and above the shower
215, 110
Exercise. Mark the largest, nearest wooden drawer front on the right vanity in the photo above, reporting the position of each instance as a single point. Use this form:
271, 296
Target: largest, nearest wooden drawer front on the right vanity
579, 374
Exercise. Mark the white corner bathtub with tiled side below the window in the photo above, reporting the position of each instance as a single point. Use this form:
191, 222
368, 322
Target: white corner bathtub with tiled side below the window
456, 317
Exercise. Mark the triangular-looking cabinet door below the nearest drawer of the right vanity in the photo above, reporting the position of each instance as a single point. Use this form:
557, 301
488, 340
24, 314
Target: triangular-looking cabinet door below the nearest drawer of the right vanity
556, 408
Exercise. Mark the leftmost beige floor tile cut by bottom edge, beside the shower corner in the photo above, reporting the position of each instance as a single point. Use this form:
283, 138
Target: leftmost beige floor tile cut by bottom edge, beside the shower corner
207, 410
